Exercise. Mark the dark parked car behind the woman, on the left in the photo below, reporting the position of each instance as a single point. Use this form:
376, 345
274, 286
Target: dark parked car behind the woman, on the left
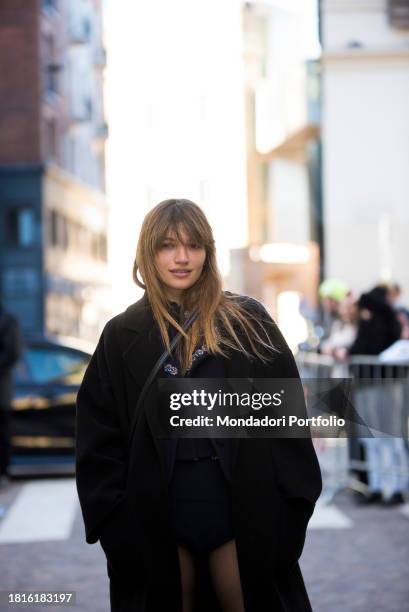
46, 382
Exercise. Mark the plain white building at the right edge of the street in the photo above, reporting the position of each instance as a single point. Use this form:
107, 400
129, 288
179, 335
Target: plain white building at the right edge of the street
366, 135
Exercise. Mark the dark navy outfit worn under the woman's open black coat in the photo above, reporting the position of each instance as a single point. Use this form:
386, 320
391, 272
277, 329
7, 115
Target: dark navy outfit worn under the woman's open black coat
199, 472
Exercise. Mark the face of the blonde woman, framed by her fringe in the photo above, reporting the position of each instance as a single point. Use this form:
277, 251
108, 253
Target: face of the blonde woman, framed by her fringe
179, 264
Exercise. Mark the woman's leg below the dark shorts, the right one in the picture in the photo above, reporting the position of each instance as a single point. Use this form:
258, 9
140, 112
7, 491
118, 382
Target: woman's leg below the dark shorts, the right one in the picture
224, 569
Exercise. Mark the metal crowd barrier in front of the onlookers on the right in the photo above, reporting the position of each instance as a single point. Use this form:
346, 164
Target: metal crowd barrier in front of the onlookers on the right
381, 395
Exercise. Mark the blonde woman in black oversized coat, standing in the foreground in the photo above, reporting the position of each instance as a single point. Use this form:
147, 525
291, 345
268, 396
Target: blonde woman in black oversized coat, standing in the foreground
189, 525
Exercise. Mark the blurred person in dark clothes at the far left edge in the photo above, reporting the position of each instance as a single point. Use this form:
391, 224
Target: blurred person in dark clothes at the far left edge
10, 352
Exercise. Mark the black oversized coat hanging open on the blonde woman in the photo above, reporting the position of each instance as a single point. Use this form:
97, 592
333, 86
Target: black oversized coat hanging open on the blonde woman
123, 490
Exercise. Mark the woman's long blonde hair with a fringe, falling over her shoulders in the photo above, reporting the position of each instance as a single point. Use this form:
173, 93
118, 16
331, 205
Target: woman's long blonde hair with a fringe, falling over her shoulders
216, 310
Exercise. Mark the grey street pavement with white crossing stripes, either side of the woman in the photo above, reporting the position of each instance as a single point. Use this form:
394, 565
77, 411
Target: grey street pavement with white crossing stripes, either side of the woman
356, 559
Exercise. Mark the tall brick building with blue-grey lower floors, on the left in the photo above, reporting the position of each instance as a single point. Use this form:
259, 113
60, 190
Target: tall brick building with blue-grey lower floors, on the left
53, 215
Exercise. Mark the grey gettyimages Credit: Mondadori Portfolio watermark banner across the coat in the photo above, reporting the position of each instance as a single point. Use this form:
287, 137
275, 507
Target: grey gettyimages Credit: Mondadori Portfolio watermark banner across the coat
281, 408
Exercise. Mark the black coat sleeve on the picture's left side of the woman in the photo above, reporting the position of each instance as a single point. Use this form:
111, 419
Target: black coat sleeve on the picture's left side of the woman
100, 448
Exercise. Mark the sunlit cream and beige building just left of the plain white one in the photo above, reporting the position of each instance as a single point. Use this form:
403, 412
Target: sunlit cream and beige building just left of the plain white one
281, 264
